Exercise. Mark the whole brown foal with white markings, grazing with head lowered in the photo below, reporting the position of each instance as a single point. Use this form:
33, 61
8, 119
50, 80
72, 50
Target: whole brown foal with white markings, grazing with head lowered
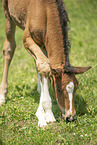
46, 38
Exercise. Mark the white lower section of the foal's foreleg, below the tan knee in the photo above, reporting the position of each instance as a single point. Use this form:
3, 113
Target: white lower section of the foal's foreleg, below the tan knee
44, 112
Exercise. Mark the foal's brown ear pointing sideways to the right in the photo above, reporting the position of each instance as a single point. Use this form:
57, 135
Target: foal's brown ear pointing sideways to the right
76, 70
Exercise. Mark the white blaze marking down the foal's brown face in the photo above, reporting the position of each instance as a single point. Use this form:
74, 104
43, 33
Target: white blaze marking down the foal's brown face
70, 88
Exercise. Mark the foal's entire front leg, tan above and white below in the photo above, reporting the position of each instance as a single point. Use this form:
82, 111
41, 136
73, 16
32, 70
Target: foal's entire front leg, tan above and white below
44, 112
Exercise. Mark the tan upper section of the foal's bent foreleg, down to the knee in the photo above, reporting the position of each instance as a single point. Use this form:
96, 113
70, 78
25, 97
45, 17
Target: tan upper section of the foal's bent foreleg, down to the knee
42, 62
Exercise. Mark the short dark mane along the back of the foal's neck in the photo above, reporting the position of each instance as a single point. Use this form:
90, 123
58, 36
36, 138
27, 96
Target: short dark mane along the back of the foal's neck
64, 20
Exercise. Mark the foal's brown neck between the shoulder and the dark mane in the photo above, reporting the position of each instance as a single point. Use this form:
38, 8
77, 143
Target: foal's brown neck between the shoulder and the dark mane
54, 37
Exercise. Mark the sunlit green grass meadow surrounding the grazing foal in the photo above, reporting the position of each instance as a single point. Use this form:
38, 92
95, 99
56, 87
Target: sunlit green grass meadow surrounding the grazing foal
18, 123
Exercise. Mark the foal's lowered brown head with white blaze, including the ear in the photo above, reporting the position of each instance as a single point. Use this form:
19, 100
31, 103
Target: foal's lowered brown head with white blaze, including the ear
65, 86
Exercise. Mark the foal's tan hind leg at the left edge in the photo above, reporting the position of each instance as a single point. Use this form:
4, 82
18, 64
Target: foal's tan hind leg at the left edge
8, 51
